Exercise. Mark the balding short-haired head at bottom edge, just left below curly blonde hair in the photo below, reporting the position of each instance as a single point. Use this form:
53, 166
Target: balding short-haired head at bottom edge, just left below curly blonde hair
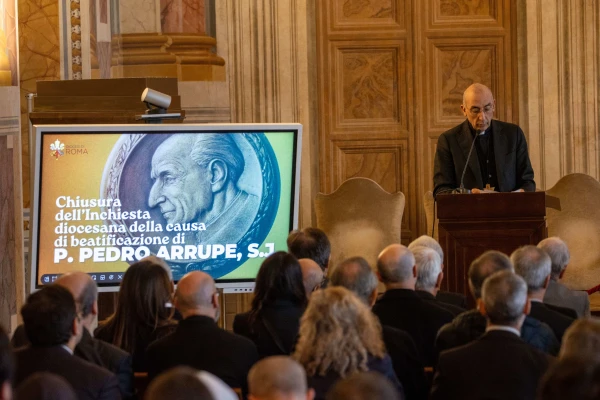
278, 378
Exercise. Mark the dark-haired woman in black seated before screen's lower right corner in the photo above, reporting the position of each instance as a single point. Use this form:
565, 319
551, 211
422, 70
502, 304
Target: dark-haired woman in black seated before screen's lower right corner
279, 301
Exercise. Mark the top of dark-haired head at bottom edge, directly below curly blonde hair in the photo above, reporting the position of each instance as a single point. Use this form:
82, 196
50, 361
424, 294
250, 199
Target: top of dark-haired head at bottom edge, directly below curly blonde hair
363, 386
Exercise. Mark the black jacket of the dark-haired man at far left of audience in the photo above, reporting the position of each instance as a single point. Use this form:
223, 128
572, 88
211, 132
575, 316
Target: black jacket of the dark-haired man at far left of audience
89, 381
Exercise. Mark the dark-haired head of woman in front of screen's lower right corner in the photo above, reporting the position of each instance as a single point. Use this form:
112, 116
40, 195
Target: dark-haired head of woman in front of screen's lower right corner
279, 278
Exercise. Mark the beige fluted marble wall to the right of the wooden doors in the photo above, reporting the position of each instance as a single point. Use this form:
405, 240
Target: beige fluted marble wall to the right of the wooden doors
558, 80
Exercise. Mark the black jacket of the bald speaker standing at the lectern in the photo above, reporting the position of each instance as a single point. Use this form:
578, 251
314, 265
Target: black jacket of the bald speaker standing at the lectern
513, 166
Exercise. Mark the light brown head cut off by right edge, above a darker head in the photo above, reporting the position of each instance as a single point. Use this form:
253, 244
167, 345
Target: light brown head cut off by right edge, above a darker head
582, 339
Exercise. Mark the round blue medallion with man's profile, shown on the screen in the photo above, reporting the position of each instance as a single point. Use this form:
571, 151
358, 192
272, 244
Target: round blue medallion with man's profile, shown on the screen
199, 200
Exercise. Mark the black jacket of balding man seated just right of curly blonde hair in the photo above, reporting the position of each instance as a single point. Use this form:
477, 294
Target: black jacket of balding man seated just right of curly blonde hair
403, 309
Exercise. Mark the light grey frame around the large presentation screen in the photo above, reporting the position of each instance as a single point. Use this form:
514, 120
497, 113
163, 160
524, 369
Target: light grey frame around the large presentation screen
235, 285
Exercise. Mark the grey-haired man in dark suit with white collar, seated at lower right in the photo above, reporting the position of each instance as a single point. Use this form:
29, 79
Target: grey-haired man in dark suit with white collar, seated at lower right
498, 365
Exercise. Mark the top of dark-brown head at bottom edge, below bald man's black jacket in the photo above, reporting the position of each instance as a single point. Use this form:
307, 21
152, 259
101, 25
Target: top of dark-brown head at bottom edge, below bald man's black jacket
179, 383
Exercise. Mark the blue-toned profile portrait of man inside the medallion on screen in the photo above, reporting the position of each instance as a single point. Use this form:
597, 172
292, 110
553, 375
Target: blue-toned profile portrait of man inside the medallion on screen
195, 180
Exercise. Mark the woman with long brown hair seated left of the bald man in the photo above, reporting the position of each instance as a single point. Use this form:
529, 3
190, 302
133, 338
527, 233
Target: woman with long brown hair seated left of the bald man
143, 313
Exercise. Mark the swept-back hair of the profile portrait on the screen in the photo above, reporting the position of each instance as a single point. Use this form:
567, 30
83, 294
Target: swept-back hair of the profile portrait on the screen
214, 146
